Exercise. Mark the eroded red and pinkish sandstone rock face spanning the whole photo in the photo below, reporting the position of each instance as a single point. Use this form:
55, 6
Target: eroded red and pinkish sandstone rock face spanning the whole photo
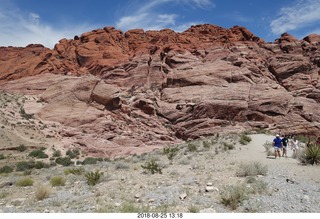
136, 91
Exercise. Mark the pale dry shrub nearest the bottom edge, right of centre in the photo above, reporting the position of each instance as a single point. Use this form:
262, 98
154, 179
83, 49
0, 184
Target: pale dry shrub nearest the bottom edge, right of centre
232, 196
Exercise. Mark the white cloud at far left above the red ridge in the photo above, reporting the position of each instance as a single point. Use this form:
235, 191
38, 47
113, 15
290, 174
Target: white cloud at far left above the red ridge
19, 28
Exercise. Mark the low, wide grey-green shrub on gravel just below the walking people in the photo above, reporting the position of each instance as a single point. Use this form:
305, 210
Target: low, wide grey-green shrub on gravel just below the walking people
252, 169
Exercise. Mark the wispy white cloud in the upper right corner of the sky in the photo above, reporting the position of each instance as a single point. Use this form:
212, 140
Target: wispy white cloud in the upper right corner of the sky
303, 13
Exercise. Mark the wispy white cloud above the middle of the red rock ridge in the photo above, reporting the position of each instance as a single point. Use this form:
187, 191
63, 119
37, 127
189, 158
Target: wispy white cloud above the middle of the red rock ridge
148, 16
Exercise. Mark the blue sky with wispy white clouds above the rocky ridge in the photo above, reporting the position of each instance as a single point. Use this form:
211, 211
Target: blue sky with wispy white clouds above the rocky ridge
47, 21
